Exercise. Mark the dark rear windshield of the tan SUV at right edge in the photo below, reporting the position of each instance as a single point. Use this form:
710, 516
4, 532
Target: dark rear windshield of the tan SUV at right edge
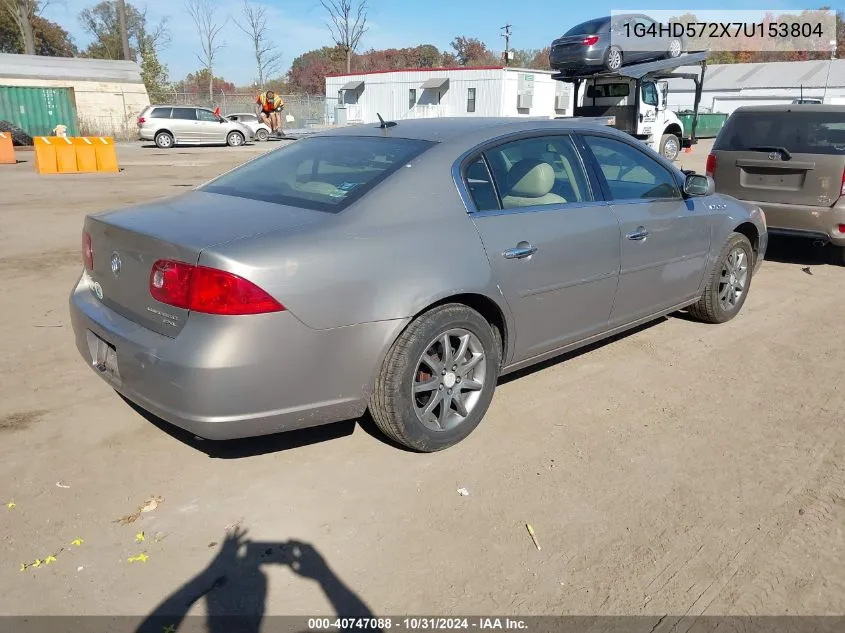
798, 132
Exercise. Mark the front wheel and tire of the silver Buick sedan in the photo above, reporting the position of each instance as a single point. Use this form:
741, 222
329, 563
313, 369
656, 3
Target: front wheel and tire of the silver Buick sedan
720, 303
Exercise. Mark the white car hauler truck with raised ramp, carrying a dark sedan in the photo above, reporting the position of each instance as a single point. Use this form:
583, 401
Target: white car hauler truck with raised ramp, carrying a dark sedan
635, 100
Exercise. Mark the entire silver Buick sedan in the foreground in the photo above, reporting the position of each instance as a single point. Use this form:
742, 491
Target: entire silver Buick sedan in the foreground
400, 268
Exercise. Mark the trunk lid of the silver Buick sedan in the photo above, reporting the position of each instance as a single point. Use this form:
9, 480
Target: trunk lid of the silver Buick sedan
127, 243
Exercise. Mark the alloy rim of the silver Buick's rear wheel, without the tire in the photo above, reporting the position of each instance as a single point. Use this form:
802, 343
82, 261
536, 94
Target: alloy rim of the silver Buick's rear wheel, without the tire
448, 379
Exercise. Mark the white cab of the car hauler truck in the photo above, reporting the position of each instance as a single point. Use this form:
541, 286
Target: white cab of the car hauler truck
639, 107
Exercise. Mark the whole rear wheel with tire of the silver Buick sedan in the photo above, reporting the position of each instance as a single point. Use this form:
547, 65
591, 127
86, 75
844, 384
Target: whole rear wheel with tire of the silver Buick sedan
407, 385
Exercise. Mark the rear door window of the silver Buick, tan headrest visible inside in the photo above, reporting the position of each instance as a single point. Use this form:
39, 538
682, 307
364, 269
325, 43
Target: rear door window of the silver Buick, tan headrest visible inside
535, 171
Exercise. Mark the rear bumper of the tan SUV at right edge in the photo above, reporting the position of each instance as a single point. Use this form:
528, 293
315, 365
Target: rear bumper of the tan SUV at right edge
805, 221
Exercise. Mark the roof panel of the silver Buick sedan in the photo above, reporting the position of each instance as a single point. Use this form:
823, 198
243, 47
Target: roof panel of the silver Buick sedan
463, 130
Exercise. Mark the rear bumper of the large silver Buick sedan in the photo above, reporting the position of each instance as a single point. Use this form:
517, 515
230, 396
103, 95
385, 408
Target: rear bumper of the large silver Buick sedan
230, 377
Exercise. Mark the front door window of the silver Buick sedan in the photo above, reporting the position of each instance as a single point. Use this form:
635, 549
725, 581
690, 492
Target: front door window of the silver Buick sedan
630, 173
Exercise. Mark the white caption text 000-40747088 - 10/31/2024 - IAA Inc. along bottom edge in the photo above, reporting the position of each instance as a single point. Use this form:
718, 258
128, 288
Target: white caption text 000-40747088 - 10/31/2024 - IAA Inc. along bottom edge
417, 624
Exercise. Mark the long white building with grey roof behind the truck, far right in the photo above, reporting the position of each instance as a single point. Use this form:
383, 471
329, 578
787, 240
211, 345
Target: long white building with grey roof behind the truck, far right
729, 86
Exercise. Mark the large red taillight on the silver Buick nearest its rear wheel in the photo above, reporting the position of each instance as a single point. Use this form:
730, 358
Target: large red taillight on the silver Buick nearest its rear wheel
208, 290
